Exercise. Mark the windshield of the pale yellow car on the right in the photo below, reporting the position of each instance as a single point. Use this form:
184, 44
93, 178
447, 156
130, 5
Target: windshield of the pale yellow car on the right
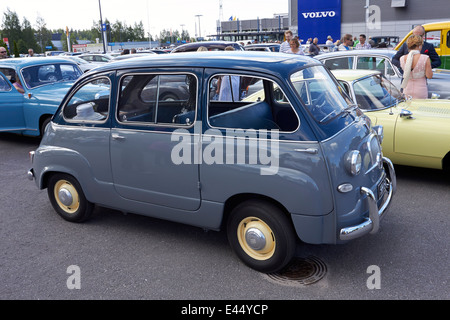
376, 93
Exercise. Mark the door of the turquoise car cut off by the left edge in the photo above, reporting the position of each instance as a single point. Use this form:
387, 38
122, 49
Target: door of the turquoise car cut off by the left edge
11, 106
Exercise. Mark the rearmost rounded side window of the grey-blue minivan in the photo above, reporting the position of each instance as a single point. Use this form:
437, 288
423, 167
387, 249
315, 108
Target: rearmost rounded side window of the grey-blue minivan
90, 103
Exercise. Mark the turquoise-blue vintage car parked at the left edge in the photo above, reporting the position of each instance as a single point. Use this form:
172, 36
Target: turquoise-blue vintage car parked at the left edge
45, 81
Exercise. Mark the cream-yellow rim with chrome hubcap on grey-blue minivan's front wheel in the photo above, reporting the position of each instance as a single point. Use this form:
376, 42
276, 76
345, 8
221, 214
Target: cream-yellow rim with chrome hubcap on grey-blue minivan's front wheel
256, 238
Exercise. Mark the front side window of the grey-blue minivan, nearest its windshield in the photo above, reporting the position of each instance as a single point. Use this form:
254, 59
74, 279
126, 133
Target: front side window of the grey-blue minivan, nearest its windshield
246, 102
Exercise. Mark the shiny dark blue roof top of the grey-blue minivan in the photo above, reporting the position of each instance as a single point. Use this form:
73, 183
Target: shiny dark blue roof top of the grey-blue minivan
238, 60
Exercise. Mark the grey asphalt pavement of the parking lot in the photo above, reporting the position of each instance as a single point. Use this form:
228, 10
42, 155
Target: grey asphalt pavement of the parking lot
129, 257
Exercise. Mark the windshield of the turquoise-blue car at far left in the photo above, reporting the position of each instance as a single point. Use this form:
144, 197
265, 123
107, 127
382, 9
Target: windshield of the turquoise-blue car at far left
36, 76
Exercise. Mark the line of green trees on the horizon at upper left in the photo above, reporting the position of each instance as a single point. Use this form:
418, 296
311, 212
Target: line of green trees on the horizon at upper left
23, 35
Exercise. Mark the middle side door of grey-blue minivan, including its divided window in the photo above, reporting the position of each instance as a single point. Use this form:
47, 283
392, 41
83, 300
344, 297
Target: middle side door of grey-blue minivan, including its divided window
155, 114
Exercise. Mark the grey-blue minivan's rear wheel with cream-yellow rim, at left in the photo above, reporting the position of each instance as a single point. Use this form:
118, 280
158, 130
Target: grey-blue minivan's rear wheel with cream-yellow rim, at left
67, 198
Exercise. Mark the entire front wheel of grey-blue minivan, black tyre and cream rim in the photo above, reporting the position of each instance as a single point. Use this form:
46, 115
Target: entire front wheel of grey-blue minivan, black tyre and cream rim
261, 235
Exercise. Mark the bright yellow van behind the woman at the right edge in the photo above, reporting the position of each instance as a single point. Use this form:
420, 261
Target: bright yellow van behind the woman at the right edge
438, 34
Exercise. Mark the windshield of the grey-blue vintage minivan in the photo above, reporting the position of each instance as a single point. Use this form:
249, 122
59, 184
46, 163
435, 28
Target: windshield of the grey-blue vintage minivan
321, 95
